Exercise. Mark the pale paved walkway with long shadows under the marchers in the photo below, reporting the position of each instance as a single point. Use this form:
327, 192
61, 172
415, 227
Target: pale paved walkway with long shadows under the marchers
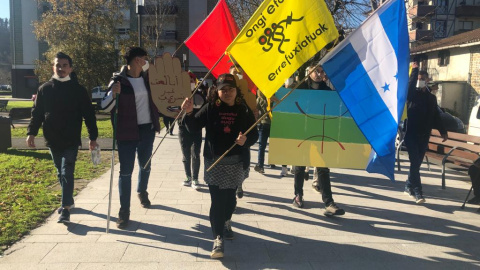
382, 229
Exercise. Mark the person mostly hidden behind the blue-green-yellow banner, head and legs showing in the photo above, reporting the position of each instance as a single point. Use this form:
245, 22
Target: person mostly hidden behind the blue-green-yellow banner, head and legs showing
316, 81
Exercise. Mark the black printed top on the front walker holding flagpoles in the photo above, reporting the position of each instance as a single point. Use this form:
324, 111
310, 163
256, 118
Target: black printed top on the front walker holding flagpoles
223, 124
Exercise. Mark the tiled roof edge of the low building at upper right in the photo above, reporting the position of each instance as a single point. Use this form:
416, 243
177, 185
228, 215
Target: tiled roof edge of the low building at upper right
460, 39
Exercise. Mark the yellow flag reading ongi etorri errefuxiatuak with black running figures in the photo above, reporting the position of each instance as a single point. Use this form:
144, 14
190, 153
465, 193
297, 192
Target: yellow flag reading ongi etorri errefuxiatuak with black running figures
279, 38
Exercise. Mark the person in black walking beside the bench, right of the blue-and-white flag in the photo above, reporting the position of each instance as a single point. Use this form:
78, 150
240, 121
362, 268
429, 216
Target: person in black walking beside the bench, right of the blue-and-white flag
422, 116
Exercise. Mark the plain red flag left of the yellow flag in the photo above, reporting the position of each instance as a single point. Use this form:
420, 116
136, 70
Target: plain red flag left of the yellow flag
212, 37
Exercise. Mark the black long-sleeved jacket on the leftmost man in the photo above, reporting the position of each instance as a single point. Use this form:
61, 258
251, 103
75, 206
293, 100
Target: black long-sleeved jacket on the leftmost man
61, 108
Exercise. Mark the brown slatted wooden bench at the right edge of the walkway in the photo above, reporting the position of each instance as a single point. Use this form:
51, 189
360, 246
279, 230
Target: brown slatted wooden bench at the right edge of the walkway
460, 149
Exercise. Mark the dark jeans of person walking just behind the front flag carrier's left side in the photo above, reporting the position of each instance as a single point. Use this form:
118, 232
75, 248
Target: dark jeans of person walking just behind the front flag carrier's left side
190, 144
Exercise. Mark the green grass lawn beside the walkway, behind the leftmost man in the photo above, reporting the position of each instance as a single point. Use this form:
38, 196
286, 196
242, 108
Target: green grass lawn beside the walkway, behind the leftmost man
29, 190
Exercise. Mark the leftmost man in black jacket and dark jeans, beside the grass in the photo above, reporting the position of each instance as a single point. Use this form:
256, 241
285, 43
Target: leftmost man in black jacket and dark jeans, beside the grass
60, 105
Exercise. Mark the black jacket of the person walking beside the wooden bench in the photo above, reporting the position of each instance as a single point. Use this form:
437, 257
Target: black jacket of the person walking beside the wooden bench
422, 112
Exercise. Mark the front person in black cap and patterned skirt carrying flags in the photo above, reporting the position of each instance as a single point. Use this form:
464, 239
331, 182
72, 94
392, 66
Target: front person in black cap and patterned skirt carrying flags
225, 118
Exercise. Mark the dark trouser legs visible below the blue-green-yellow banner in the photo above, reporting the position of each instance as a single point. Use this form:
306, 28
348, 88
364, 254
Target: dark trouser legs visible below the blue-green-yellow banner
323, 183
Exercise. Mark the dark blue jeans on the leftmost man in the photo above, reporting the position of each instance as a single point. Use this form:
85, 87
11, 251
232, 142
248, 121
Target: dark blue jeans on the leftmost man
64, 160
